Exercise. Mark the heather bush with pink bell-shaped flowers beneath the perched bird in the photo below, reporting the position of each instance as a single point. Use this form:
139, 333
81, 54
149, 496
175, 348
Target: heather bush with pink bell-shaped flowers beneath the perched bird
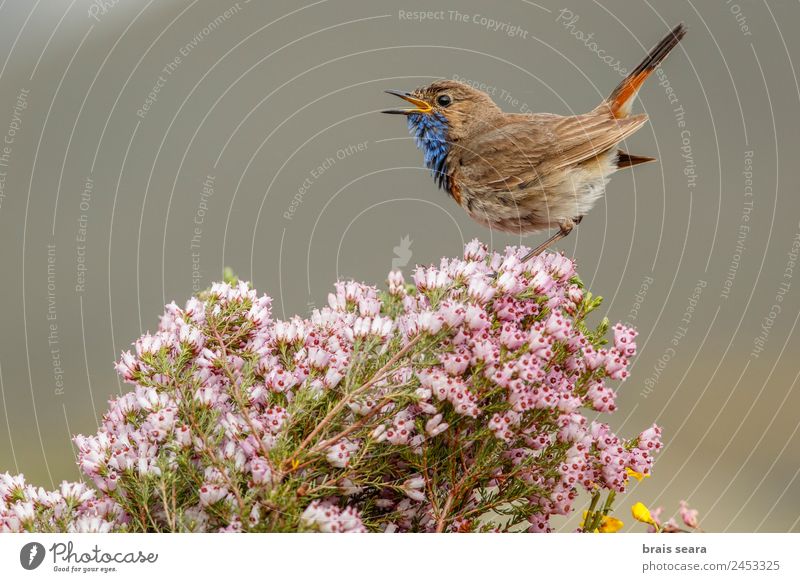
458, 402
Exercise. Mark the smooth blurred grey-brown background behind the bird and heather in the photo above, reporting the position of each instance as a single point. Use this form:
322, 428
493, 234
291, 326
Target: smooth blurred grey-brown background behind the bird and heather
147, 145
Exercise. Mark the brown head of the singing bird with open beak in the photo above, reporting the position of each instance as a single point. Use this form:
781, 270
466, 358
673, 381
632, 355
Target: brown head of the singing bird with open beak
455, 105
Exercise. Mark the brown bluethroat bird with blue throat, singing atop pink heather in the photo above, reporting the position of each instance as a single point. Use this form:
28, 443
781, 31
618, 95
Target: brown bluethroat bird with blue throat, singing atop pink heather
524, 173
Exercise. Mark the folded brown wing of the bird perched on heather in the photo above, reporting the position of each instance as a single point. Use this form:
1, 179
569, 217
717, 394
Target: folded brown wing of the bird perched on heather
522, 149
